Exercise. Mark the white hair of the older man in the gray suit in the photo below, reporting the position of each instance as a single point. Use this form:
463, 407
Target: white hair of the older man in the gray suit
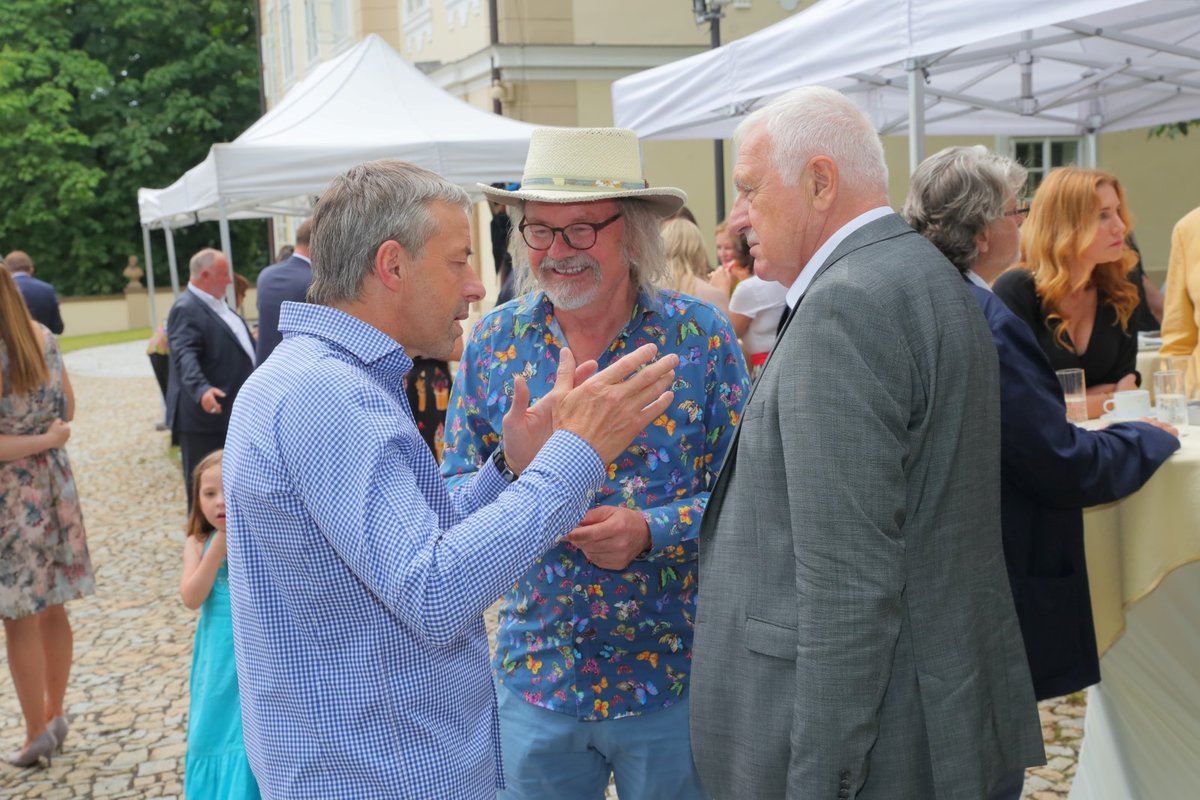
814, 122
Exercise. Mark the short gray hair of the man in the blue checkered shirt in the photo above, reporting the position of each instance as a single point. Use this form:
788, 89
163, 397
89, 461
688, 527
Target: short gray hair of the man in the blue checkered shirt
365, 207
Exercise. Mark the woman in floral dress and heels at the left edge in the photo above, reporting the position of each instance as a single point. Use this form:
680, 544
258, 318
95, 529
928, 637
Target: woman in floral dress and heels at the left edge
44, 555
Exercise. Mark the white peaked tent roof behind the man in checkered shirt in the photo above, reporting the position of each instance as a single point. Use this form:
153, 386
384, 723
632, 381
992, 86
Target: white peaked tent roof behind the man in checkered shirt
368, 104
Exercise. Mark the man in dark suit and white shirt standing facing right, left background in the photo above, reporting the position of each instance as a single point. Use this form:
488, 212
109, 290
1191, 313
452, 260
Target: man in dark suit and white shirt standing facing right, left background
212, 356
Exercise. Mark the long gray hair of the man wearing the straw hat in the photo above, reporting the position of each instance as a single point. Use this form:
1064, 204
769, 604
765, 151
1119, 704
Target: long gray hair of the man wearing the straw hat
641, 245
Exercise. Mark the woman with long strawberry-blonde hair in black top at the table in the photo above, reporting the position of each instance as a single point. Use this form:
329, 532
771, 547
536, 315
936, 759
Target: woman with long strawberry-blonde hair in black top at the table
1072, 286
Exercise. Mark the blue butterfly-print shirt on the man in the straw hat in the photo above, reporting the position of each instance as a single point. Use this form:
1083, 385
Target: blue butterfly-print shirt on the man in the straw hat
574, 637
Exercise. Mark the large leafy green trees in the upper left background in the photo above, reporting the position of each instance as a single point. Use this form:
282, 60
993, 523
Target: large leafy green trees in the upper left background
99, 98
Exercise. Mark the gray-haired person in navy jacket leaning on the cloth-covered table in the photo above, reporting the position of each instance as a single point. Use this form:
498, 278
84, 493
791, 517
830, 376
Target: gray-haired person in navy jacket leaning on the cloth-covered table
964, 200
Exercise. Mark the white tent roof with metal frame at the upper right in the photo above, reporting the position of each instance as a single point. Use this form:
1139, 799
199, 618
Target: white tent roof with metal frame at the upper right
1018, 68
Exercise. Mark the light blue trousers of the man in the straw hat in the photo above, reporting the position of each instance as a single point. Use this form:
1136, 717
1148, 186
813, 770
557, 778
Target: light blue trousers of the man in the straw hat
551, 756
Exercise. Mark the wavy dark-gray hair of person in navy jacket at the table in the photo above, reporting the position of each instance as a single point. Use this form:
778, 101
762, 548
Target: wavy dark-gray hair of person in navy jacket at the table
958, 193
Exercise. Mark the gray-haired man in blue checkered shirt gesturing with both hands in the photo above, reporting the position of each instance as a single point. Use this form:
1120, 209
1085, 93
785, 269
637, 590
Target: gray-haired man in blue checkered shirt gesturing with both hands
358, 581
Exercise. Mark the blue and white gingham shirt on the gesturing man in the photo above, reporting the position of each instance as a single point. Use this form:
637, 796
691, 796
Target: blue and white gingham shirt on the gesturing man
358, 581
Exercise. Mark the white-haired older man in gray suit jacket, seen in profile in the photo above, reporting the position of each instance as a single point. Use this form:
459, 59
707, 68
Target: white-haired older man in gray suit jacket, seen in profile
856, 635
